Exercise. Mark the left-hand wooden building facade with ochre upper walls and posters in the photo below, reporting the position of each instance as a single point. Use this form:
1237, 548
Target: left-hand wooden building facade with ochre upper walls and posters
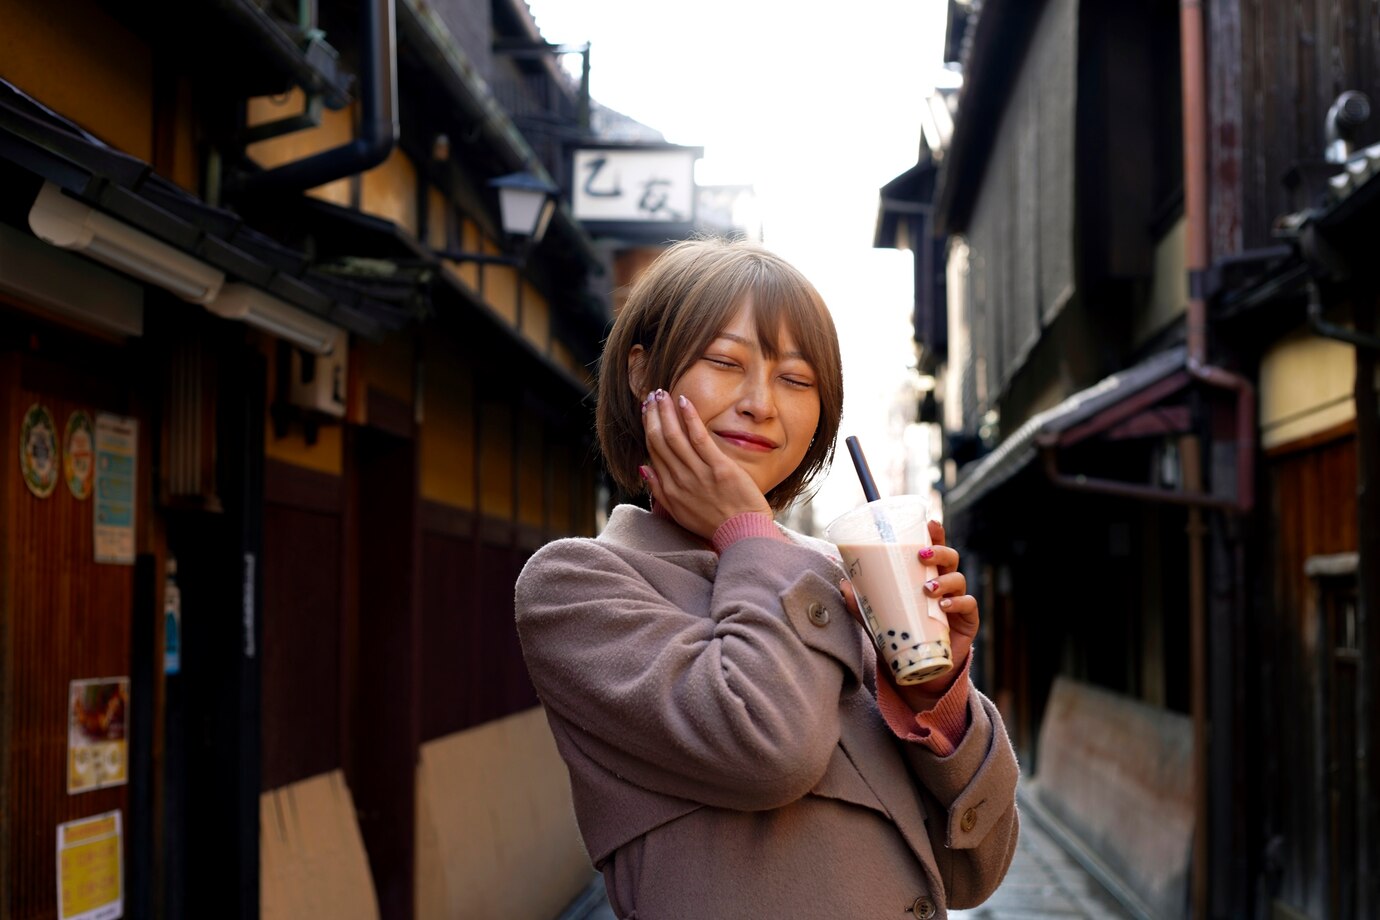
351, 408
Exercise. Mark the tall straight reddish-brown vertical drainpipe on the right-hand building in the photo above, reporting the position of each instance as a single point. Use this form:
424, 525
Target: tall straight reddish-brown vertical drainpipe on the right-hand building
1193, 63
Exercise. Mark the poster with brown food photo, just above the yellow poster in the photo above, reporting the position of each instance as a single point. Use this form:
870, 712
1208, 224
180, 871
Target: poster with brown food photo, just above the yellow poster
97, 748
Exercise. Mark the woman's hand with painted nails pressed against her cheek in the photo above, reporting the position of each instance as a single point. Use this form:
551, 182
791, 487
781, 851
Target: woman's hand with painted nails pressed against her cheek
689, 477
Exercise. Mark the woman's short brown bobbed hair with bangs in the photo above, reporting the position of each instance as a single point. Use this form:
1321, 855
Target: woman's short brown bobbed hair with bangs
680, 304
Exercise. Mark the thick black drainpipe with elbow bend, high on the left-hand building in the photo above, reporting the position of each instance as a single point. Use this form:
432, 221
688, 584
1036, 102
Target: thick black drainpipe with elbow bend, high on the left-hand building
377, 133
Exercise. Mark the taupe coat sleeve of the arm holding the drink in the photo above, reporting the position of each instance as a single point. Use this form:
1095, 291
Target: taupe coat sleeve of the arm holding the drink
974, 791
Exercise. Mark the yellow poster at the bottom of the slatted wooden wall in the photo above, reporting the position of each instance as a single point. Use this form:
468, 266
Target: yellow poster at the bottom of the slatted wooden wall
90, 877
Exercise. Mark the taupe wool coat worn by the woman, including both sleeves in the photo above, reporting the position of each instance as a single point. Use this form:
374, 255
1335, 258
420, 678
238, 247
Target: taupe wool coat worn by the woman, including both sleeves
727, 754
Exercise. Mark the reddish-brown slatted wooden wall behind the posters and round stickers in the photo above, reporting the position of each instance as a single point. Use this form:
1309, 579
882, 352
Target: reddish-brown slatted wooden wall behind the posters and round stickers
64, 619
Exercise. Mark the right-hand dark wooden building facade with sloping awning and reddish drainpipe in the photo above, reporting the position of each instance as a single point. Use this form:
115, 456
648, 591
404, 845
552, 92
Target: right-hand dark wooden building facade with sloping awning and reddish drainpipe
1117, 172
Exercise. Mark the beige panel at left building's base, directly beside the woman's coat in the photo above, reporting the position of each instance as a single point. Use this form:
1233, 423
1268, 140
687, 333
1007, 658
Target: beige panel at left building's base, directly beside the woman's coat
496, 830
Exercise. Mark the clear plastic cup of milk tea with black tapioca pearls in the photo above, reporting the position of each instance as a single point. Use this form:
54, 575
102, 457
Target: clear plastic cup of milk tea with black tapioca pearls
880, 544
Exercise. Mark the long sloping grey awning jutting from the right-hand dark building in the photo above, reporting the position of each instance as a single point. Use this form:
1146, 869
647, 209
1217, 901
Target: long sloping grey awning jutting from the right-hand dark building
1125, 392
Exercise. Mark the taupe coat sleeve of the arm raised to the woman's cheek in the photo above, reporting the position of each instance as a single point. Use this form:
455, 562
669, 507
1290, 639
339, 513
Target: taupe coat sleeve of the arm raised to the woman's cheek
736, 710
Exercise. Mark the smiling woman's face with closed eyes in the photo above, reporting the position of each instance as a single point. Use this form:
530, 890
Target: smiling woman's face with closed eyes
762, 413
